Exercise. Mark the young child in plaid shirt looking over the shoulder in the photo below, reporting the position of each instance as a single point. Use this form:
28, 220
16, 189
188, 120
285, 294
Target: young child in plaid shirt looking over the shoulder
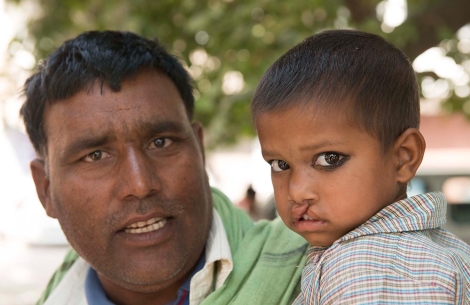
337, 117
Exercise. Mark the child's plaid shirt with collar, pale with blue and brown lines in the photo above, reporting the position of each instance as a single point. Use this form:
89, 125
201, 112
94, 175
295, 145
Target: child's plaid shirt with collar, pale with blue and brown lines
399, 256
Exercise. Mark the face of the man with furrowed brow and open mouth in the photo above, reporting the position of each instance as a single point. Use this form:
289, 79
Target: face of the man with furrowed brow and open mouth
126, 180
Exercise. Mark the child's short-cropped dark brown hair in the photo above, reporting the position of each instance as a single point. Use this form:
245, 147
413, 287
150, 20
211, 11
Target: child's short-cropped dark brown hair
361, 73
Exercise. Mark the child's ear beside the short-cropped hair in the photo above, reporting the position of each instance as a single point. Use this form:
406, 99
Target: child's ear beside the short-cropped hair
409, 152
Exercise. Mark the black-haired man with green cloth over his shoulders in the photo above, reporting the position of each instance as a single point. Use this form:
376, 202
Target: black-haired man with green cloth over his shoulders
121, 166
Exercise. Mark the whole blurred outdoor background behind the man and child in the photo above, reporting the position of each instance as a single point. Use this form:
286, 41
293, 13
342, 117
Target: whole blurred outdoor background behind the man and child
227, 45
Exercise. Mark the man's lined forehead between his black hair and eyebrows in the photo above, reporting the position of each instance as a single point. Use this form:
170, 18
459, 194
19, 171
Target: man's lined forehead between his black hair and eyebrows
148, 100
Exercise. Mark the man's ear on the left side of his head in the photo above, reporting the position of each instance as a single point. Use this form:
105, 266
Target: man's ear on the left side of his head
41, 180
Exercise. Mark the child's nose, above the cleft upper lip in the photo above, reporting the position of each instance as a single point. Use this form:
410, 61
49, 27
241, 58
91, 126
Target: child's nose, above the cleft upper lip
302, 186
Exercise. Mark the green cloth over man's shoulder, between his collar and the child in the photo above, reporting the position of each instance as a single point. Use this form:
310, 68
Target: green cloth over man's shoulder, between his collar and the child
268, 263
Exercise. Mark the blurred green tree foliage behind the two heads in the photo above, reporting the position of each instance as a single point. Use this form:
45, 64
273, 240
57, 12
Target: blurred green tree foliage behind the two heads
228, 44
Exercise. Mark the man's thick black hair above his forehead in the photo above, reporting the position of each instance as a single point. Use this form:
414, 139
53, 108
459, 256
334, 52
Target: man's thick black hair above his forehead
108, 57
